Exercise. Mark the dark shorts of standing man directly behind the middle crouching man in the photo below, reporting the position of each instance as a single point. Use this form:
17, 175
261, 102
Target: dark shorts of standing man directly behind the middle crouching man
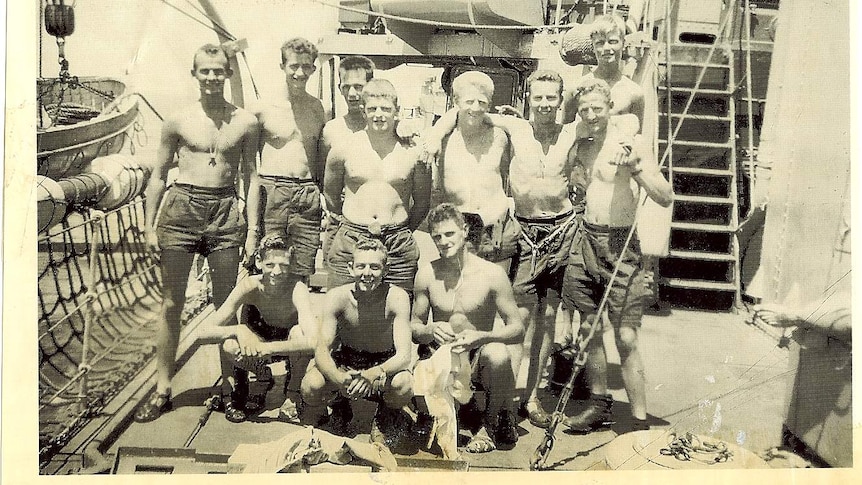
401, 248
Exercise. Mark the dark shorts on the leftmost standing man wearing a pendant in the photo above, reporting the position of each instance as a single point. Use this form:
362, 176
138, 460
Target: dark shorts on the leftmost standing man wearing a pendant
200, 219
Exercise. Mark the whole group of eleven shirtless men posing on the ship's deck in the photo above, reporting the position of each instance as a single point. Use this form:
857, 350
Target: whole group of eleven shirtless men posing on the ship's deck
502, 268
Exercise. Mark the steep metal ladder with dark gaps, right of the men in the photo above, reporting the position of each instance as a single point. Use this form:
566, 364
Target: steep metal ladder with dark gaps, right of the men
702, 268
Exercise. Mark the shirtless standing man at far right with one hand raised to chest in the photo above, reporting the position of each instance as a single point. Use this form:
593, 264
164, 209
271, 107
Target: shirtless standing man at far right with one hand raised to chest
611, 202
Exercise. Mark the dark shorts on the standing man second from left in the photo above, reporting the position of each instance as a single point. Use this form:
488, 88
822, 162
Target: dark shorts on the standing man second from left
292, 208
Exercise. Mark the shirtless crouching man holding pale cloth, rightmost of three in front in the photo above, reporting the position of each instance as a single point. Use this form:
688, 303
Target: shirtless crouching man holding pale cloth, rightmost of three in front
464, 293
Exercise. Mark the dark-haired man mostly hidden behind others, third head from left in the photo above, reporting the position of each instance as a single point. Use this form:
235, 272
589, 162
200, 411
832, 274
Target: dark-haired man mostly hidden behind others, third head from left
354, 72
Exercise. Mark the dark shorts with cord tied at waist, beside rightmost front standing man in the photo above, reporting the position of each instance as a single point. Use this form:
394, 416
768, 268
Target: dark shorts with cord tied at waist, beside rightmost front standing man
543, 253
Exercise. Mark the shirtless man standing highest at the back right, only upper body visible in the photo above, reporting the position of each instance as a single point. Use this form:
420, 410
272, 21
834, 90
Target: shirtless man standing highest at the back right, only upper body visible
608, 37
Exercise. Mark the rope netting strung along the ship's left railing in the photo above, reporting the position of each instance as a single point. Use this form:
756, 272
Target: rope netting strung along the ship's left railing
98, 297
